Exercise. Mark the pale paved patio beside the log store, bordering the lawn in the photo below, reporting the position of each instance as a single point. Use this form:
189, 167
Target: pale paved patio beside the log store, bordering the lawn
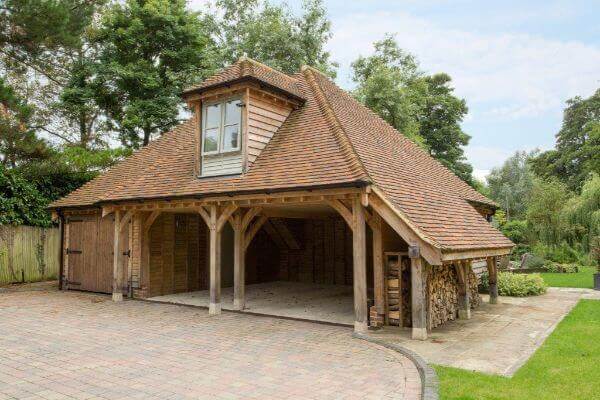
499, 338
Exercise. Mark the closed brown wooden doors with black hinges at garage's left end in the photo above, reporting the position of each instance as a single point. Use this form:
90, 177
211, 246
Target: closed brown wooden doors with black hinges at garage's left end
90, 251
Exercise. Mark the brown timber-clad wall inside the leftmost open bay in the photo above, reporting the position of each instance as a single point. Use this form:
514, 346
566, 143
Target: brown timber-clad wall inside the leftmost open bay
177, 254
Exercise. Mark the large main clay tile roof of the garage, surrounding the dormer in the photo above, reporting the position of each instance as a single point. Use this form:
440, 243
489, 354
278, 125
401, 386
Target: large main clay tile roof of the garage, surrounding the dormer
332, 140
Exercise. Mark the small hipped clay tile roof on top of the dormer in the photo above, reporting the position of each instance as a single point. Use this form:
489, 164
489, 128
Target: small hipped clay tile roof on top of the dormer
247, 68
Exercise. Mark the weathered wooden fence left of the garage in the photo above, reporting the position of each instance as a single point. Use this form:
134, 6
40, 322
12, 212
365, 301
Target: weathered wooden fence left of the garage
29, 253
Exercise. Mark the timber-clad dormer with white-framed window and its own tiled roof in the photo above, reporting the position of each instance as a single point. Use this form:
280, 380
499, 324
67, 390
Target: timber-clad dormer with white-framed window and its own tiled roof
237, 112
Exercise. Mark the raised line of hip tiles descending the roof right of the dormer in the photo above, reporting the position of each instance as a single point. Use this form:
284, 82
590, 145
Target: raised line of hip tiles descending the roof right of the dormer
340, 134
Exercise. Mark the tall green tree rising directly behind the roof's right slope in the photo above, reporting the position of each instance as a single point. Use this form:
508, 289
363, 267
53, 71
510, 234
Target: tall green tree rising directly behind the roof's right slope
422, 107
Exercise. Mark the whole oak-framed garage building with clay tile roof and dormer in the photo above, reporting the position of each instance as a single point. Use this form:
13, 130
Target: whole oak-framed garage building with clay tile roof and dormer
283, 195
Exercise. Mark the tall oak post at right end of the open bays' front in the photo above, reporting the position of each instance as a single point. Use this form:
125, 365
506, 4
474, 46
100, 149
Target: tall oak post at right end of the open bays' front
359, 266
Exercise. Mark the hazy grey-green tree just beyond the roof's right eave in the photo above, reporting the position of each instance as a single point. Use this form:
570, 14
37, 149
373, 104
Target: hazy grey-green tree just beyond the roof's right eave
510, 185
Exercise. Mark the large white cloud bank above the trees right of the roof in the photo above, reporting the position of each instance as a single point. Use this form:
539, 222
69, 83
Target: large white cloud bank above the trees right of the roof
528, 75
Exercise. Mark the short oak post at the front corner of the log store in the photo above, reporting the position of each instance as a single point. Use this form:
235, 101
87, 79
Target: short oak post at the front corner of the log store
417, 284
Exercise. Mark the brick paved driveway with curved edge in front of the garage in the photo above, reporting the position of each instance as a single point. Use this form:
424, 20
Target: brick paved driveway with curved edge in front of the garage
73, 345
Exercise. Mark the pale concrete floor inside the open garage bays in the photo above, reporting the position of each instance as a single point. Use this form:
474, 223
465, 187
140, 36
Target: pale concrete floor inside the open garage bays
314, 302
